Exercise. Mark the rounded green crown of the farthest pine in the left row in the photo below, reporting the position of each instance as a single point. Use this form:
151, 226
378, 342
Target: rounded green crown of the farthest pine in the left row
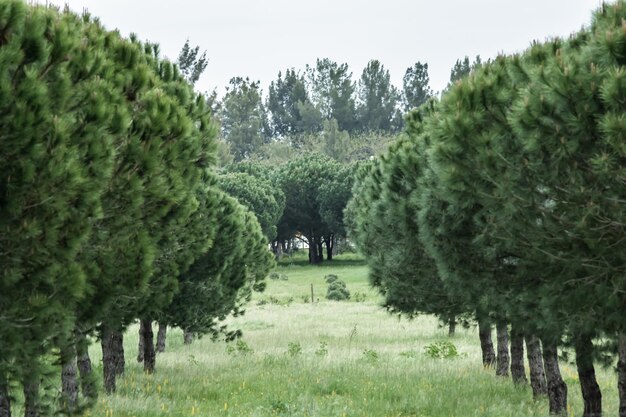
220, 281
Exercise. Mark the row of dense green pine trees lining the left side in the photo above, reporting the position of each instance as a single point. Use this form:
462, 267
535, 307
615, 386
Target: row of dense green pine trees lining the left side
109, 206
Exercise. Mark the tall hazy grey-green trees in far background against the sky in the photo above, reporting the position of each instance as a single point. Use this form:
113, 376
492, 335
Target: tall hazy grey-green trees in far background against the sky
300, 105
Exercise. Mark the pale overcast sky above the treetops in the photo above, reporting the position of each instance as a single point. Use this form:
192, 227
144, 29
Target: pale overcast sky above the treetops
259, 38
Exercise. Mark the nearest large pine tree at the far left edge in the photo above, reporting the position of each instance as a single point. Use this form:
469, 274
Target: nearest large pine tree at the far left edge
60, 120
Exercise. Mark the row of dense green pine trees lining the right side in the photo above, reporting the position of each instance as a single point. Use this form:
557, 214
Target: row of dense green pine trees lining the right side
506, 201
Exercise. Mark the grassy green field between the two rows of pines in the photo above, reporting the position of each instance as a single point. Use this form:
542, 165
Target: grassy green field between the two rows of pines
326, 359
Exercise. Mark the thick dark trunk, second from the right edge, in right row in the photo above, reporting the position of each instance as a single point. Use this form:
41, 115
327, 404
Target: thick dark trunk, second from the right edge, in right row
592, 395
